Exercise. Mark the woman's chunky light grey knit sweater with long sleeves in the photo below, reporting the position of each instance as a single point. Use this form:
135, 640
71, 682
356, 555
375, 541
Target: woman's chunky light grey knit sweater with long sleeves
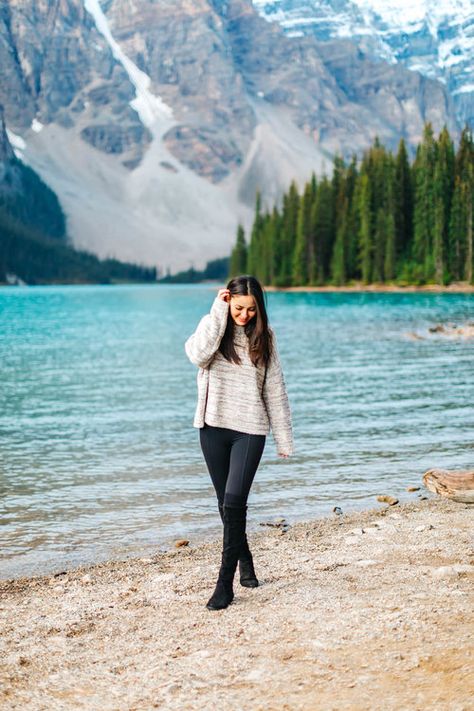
230, 394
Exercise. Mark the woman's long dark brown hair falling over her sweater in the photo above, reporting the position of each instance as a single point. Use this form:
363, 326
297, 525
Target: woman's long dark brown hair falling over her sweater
257, 330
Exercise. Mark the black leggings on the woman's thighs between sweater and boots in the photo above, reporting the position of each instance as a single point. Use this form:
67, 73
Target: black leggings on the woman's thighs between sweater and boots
232, 459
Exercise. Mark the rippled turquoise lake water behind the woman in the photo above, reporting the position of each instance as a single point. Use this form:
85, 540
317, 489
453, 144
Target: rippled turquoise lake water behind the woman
98, 455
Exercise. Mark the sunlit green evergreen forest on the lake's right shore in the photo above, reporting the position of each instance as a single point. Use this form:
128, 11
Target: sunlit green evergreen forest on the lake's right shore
381, 219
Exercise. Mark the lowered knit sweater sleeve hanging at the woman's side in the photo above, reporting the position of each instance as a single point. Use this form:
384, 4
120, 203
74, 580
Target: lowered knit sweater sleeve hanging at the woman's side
277, 404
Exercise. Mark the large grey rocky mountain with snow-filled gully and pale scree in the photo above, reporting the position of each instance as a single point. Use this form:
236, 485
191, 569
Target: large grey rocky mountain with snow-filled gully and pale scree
156, 122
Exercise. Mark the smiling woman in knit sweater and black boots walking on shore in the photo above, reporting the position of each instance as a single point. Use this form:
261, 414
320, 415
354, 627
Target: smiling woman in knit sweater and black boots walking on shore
241, 394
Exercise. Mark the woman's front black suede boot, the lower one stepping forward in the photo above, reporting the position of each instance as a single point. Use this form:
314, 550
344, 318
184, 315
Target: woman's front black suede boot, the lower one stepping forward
234, 531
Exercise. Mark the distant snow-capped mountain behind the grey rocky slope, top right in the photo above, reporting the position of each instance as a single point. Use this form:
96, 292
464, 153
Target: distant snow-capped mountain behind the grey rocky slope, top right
434, 37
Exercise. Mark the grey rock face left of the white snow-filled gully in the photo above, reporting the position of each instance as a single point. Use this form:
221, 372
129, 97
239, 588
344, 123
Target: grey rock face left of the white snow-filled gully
56, 67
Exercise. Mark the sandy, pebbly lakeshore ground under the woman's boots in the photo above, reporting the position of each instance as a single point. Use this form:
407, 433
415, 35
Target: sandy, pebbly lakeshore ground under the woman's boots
371, 610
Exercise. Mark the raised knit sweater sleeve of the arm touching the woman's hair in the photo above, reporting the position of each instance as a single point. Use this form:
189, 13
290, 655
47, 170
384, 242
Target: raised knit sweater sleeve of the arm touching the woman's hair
204, 342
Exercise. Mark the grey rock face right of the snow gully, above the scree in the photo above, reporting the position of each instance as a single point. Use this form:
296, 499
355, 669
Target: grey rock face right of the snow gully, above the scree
210, 62
